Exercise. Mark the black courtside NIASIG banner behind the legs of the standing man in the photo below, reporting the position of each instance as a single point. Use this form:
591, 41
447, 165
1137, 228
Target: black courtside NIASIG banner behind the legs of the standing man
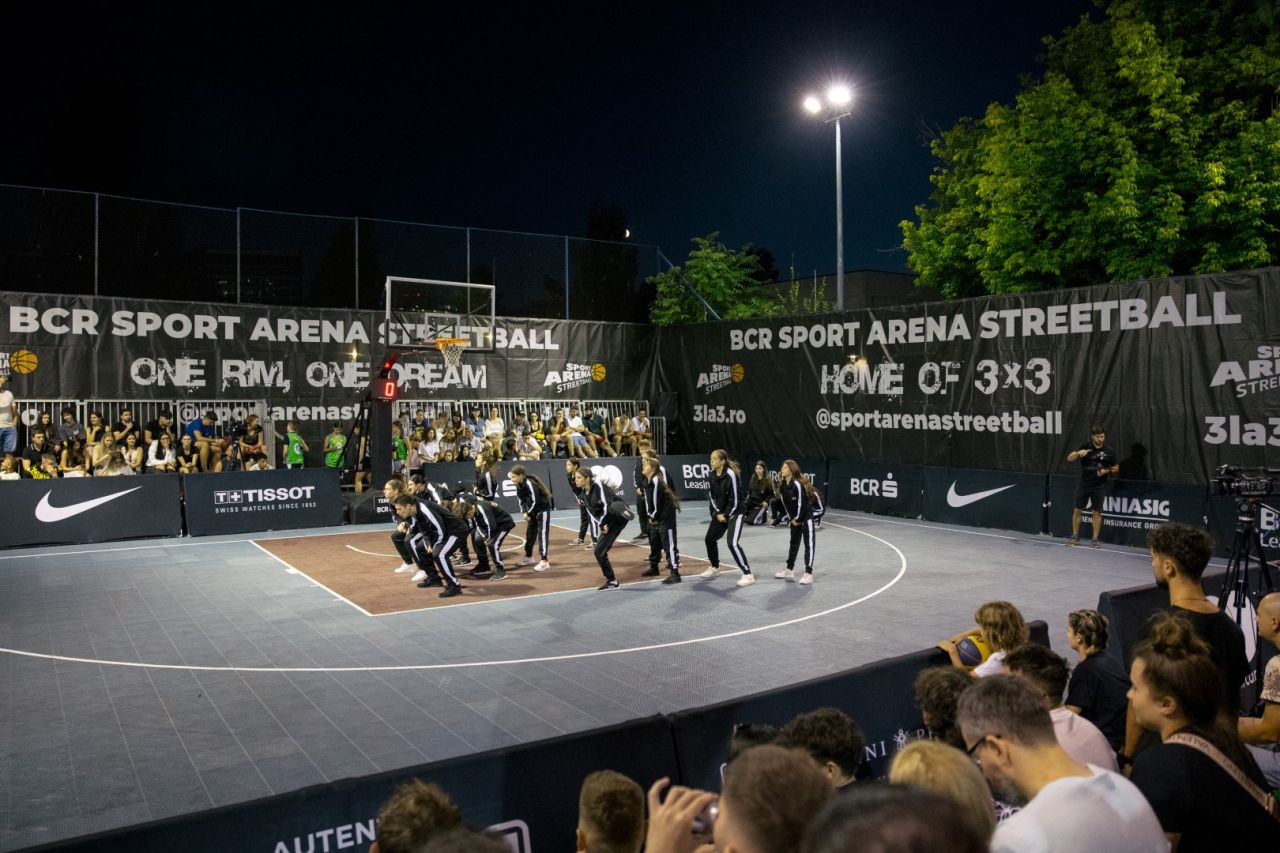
1130, 509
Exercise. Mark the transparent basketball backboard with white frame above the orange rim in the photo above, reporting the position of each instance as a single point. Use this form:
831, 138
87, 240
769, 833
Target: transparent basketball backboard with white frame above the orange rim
422, 311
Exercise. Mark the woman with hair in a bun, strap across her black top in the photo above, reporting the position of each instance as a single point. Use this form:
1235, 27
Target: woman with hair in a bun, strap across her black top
1200, 778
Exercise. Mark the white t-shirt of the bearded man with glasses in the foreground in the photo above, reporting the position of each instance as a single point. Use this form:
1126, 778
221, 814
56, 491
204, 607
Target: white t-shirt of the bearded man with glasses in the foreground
1101, 814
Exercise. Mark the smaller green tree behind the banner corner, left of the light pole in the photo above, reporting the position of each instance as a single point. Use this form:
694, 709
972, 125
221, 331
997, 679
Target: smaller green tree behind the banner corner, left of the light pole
724, 277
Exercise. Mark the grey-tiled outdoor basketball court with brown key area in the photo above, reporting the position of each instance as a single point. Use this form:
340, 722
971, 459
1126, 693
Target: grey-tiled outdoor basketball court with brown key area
150, 679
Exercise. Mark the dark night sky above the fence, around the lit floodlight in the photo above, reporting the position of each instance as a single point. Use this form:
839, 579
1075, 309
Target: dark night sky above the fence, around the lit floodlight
519, 118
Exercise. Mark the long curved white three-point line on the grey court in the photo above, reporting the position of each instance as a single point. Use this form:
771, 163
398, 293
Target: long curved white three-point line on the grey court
419, 668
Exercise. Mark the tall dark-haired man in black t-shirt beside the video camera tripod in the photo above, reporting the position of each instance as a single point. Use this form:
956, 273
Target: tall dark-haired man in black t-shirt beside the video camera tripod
1180, 554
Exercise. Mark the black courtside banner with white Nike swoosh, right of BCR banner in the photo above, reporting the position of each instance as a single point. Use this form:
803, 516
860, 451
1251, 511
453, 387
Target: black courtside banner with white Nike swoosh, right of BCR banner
985, 499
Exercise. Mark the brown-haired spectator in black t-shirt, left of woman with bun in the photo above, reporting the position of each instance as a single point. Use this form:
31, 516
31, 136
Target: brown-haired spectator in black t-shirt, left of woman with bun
1099, 682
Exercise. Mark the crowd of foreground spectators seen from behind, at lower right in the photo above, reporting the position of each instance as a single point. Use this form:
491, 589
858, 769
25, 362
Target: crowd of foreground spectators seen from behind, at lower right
1022, 754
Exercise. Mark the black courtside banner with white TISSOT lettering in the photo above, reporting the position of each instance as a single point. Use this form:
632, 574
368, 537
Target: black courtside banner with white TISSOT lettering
253, 501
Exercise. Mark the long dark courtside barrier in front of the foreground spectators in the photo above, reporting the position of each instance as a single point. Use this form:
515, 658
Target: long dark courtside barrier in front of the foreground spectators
529, 795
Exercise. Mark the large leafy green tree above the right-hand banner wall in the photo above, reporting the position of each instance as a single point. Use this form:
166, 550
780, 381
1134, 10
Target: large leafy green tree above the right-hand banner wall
1150, 148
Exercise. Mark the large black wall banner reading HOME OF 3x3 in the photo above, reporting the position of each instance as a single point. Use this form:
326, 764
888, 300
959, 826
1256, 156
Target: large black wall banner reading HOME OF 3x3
1183, 373
